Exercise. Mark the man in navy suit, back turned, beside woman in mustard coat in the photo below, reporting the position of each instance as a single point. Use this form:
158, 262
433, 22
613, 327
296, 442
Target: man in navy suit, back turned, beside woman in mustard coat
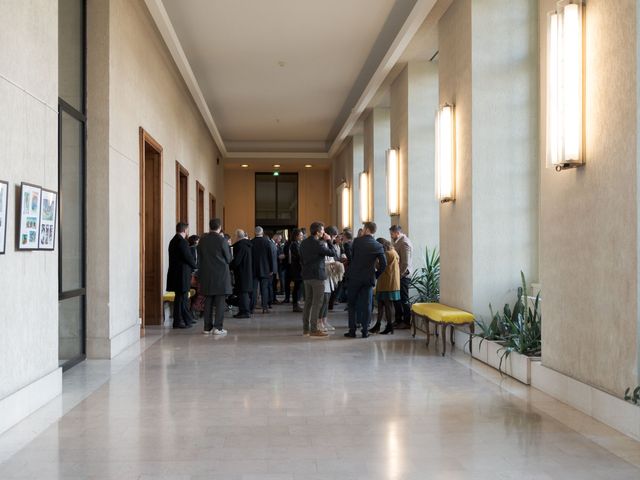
362, 278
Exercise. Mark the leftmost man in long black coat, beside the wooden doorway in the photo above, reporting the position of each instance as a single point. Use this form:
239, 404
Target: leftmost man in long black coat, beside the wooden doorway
181, 264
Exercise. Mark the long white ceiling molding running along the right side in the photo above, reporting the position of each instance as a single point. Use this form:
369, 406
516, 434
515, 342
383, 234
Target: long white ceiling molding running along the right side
415, 19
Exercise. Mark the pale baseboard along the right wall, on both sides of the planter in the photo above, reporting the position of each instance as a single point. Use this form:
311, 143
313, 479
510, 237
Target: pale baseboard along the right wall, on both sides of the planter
604, 407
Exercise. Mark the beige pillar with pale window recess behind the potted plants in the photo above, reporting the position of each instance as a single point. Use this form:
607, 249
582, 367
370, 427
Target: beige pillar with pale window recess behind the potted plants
489, 234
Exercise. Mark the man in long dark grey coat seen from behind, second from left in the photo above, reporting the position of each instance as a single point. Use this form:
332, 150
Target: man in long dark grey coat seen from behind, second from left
214, 276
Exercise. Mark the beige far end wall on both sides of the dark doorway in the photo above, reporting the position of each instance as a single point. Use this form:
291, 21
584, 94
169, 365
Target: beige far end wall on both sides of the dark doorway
239, 206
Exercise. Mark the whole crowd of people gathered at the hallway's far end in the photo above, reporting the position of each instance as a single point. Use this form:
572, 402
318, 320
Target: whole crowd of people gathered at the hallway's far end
322, 268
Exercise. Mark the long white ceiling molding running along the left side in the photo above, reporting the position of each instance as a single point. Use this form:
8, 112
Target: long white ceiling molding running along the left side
161, 18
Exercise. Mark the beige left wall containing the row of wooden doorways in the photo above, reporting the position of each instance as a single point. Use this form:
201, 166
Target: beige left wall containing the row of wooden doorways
143, 88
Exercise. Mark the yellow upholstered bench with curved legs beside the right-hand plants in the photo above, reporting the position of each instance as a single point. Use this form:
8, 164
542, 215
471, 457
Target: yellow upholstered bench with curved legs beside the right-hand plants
442, 315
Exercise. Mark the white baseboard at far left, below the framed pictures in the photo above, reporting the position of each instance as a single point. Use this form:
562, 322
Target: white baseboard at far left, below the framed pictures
19, 405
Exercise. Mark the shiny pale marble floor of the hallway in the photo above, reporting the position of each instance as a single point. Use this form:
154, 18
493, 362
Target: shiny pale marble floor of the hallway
266, 403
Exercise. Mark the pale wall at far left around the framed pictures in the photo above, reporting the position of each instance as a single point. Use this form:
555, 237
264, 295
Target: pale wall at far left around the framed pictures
28, 153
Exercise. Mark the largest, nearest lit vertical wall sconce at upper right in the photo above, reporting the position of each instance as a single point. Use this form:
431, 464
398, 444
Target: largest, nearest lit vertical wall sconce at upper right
564, 85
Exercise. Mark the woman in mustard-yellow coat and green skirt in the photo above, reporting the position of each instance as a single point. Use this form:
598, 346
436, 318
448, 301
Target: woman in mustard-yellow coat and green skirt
387, 288
